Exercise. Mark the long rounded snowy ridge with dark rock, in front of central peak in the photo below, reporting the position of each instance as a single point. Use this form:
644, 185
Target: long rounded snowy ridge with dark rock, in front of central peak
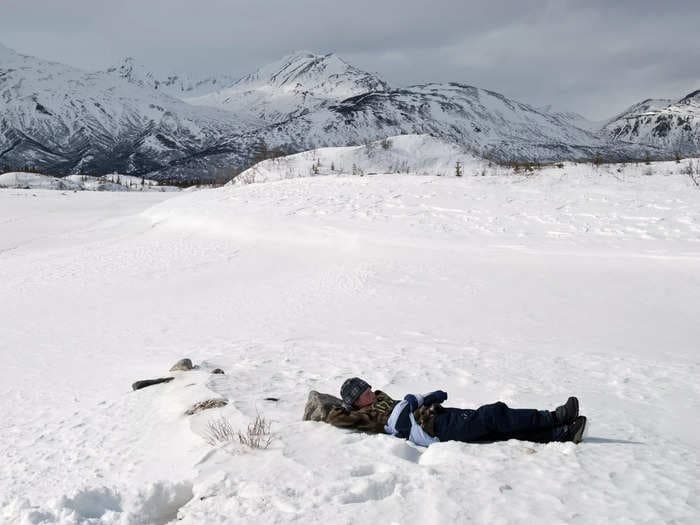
486, 122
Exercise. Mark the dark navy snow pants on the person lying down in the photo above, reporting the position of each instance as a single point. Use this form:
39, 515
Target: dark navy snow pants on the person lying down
496, 422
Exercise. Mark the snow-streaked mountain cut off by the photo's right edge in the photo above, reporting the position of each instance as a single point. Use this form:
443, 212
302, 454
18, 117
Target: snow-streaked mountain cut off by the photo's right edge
673, 125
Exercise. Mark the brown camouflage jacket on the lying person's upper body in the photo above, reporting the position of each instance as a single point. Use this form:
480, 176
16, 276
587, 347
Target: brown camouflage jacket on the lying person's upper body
373, 418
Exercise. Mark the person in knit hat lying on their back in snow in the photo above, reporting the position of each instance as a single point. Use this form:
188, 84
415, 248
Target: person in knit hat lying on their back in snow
422, 420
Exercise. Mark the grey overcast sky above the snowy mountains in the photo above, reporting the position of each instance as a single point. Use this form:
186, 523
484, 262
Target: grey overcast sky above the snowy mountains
581, 56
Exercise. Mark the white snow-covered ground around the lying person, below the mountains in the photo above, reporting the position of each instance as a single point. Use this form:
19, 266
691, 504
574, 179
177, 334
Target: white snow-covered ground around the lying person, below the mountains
520, 289
